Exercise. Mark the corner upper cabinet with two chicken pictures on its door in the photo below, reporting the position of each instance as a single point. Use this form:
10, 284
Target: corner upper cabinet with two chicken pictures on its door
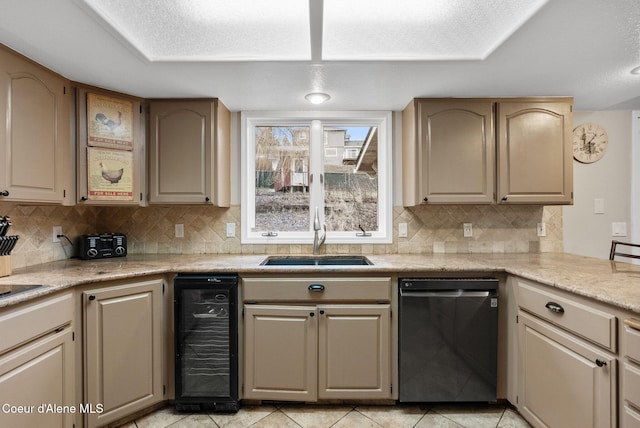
117, 142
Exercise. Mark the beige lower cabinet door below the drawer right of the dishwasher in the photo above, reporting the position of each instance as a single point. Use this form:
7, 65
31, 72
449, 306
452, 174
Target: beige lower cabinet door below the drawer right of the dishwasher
564, 381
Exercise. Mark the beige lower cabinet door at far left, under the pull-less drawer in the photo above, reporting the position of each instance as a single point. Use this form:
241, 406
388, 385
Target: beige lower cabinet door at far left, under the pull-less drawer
40, 373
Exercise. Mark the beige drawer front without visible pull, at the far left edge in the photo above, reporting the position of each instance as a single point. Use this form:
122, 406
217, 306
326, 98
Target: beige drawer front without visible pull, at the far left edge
23, 323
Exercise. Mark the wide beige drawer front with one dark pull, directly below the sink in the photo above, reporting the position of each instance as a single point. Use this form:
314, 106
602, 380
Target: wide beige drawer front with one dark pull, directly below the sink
317, 289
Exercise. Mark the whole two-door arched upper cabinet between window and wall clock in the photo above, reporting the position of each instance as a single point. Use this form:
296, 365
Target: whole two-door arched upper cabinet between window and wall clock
461, 150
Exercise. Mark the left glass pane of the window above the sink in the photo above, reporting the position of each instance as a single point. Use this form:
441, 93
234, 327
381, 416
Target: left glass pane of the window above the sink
282, 178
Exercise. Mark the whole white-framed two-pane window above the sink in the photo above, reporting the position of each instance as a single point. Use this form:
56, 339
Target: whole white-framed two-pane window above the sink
337, 164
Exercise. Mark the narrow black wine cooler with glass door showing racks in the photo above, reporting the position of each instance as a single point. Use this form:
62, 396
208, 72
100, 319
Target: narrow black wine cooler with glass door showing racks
206, 342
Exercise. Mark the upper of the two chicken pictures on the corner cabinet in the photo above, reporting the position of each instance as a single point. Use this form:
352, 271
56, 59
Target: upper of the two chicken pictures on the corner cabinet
109, 122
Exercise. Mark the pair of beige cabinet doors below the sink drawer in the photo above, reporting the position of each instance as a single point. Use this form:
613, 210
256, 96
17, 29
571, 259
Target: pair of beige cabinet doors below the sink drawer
307, 353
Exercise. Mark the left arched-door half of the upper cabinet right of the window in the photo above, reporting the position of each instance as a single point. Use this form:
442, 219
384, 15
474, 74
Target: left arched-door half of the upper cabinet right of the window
448, 151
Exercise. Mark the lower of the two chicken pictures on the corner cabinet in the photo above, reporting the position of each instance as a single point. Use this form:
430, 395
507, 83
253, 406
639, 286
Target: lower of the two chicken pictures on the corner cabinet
110, 175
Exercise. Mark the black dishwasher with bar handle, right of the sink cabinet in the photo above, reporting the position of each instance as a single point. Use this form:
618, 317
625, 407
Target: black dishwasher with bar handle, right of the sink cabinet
448, 340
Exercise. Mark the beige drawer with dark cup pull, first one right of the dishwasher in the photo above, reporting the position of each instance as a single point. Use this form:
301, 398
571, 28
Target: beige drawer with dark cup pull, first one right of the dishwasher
591, 324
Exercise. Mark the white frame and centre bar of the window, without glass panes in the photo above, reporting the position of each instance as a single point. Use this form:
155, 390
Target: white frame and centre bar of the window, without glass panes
315, 121
